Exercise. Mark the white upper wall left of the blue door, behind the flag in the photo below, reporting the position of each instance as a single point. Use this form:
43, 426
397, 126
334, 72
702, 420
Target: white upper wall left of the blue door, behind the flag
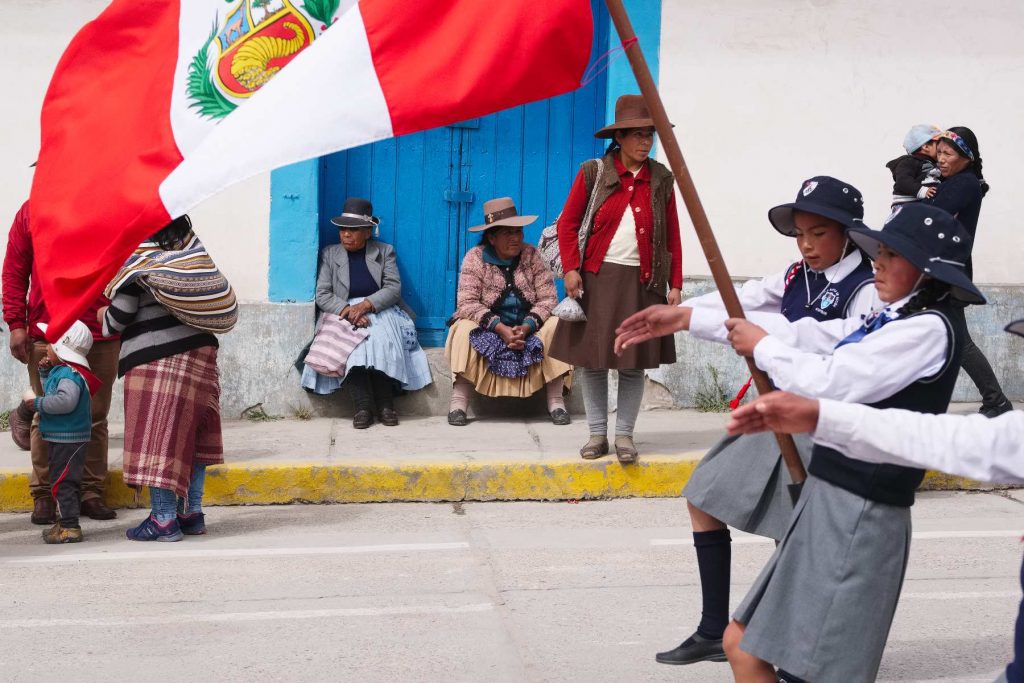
33, 36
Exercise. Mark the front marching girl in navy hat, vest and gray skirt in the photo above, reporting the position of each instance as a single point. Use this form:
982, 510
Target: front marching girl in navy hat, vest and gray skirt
823, 607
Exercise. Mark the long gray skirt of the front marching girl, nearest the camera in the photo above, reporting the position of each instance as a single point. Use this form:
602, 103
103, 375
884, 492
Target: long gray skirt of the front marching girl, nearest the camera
824, 605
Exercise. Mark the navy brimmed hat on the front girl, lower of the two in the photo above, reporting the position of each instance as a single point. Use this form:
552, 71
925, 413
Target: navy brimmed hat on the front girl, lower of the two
930, 239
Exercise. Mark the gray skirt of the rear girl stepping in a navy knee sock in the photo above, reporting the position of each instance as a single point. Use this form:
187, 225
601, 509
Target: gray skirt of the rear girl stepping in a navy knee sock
743, 483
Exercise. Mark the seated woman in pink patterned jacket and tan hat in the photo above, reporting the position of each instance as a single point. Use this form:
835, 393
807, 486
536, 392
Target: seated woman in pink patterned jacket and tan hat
502, 325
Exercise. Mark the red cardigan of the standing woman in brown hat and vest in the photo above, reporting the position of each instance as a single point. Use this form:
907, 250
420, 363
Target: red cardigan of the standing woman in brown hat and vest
634, 193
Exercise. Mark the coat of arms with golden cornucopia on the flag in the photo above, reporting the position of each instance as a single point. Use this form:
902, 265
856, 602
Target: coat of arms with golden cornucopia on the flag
250, 44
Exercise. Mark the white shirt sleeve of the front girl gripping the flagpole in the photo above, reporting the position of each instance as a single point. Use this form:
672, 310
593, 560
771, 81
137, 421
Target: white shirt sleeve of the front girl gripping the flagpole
876, 368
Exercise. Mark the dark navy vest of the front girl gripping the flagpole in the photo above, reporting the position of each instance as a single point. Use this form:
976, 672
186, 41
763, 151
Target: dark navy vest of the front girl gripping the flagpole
894, 485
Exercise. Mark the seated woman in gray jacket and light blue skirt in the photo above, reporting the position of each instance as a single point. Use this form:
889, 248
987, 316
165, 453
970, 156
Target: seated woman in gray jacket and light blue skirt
359, 282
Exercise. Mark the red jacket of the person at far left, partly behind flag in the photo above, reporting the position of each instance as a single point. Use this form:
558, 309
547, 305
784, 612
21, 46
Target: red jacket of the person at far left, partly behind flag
23, 300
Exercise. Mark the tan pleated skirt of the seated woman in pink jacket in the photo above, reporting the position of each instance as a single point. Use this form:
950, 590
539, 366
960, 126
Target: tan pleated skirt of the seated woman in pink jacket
464, 361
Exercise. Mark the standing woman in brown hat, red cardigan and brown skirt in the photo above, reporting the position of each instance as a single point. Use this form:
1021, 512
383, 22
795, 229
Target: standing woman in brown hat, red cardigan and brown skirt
633, 260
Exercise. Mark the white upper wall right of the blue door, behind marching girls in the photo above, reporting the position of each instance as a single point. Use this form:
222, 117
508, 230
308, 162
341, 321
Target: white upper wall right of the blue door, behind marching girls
766, 94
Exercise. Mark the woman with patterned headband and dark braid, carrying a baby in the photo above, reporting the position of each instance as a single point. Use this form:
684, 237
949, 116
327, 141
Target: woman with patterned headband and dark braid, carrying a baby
961, 194
